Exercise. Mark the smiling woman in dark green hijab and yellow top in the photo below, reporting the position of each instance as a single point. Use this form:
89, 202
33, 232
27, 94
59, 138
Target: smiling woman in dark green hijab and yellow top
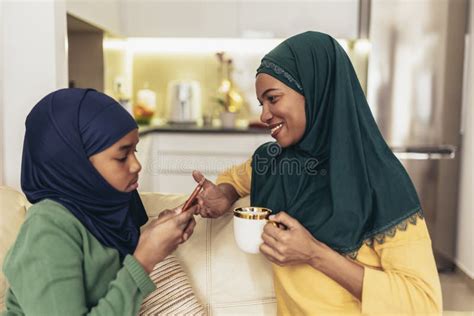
355, 239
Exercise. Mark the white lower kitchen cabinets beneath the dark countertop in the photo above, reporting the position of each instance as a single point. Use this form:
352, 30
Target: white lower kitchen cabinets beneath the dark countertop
168, 159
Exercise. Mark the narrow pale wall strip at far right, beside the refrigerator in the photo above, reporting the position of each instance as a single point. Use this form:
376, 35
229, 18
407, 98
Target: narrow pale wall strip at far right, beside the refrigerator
465, 237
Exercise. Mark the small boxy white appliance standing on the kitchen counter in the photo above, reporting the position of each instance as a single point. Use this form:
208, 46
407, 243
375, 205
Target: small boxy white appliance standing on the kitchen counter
184, 101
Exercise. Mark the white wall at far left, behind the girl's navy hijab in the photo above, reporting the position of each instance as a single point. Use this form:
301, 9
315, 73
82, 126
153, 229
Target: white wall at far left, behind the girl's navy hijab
34, 64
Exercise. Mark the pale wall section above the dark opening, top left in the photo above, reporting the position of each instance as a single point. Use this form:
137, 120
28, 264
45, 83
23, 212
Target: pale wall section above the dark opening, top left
104, 14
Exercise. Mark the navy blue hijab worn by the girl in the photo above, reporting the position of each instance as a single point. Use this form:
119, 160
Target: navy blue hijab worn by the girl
63, 130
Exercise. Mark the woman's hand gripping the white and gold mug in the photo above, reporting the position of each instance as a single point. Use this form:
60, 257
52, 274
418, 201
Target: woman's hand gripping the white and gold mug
290, 246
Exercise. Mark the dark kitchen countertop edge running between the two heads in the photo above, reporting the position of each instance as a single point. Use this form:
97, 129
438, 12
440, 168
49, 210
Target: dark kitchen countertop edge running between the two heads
194, 129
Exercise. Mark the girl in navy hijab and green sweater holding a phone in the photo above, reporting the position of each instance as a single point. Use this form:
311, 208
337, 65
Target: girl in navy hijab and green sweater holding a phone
80, 250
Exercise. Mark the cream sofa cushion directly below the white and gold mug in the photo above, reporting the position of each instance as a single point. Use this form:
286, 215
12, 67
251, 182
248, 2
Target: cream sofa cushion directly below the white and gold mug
241, 283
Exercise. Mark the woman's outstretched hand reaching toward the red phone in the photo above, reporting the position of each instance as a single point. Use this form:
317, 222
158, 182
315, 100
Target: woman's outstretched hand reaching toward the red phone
212, 201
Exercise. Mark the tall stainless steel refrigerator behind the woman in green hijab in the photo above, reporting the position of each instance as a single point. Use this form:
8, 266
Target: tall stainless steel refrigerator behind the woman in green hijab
415, 82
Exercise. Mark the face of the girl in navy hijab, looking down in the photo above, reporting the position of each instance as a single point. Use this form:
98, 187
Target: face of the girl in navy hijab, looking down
118, 164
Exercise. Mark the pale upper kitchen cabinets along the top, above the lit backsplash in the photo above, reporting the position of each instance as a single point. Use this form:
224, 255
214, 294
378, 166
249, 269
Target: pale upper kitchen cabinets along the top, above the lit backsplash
239, 18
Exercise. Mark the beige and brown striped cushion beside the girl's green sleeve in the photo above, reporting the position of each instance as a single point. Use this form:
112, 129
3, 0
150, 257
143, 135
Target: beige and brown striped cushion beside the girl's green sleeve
173, 294
